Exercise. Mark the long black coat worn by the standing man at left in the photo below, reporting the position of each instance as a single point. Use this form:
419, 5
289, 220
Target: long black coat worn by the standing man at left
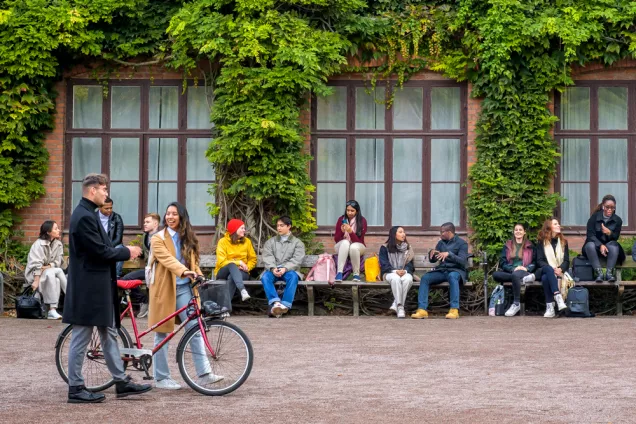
91, 292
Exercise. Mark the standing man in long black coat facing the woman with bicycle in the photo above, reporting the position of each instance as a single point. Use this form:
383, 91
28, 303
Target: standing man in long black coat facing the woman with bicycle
91, 294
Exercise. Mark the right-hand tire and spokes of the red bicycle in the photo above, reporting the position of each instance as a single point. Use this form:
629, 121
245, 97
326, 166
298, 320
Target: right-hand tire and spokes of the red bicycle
217, 332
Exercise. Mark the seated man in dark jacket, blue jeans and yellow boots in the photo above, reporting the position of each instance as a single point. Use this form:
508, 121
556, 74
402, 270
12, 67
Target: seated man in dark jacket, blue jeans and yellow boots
452, 253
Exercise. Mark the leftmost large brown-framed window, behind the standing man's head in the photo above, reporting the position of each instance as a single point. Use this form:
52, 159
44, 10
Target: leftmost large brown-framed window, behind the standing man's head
149, 138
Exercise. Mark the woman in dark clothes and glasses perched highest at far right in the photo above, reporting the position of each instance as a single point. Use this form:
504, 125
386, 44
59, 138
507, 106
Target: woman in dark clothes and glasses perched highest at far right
603, 231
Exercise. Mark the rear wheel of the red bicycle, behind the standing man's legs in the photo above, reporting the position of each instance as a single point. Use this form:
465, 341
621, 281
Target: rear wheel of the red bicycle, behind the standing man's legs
94, 381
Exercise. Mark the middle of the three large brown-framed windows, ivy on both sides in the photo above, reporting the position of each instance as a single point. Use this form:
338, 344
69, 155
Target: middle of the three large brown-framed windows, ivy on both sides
404, 164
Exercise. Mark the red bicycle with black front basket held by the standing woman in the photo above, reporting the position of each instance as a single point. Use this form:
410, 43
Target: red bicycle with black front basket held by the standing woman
227, 349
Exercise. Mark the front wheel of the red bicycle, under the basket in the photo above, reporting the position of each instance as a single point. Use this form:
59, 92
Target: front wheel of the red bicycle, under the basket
223, 372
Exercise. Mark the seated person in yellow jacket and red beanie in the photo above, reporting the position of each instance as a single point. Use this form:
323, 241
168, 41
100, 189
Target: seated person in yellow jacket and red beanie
235, 258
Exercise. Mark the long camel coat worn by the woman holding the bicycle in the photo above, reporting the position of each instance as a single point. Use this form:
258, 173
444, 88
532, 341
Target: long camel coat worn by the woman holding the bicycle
163, 293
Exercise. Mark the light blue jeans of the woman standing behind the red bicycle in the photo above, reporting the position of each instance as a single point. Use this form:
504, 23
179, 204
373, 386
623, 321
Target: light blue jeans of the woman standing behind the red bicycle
161, 370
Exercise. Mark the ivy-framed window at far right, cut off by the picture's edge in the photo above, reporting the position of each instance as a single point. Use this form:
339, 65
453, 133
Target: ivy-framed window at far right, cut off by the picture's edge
596, 135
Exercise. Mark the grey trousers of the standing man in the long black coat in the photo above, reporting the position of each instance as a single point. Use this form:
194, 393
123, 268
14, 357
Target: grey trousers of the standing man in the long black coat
82, 336
